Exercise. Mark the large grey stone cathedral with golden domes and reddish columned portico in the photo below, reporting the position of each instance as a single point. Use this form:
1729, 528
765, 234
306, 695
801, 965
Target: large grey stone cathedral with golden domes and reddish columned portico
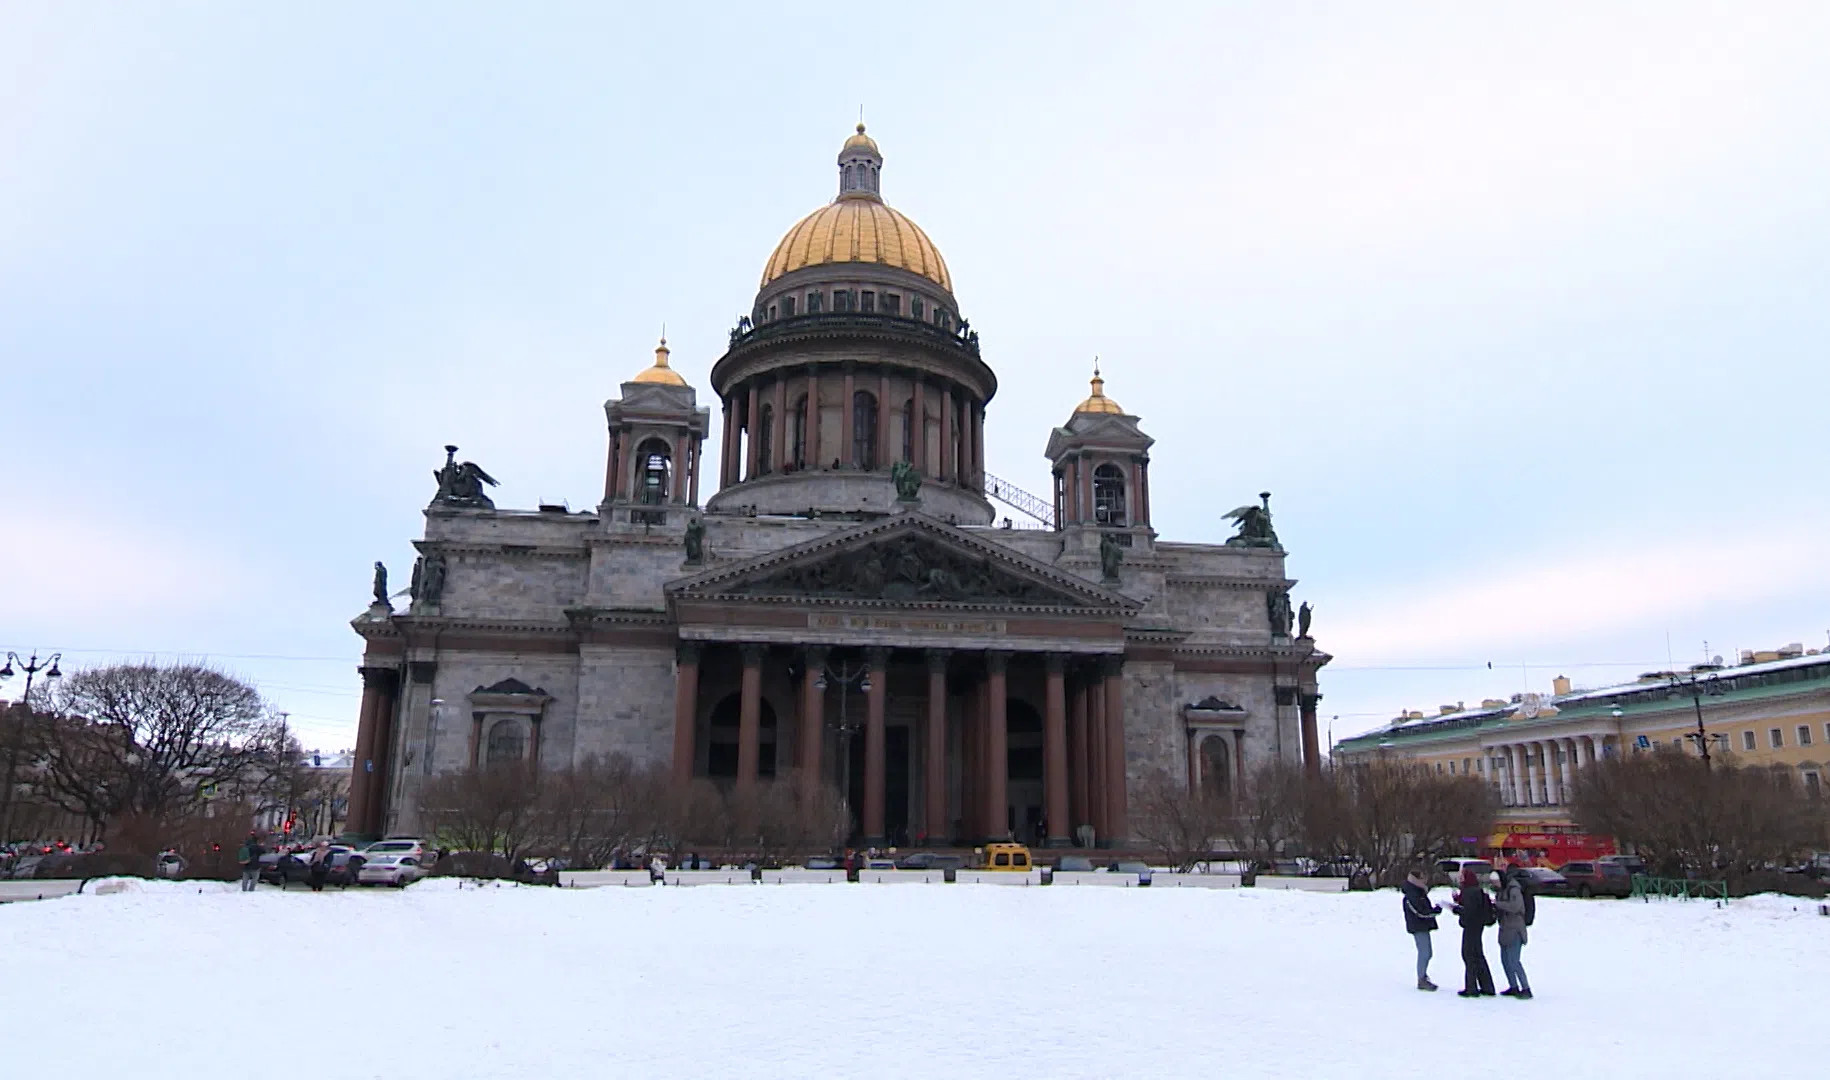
843, 605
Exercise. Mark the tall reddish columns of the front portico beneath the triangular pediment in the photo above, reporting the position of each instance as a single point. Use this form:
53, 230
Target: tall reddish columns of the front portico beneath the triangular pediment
1084, 740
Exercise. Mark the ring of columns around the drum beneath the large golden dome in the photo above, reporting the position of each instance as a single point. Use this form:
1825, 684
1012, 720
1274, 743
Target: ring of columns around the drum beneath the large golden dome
962, 437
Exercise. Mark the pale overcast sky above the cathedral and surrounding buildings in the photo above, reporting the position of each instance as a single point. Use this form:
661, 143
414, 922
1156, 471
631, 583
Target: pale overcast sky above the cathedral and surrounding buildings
1520, 314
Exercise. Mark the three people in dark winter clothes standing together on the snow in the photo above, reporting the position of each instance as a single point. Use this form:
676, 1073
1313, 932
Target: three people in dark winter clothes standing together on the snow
1509, 907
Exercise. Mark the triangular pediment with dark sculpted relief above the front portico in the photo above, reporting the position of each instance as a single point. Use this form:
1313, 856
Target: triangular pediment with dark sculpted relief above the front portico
907, 561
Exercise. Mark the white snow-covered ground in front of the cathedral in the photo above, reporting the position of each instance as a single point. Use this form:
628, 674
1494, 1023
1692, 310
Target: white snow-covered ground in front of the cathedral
438, 982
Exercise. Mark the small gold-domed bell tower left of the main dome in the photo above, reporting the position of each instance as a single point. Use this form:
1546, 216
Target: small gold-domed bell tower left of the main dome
656, 440
